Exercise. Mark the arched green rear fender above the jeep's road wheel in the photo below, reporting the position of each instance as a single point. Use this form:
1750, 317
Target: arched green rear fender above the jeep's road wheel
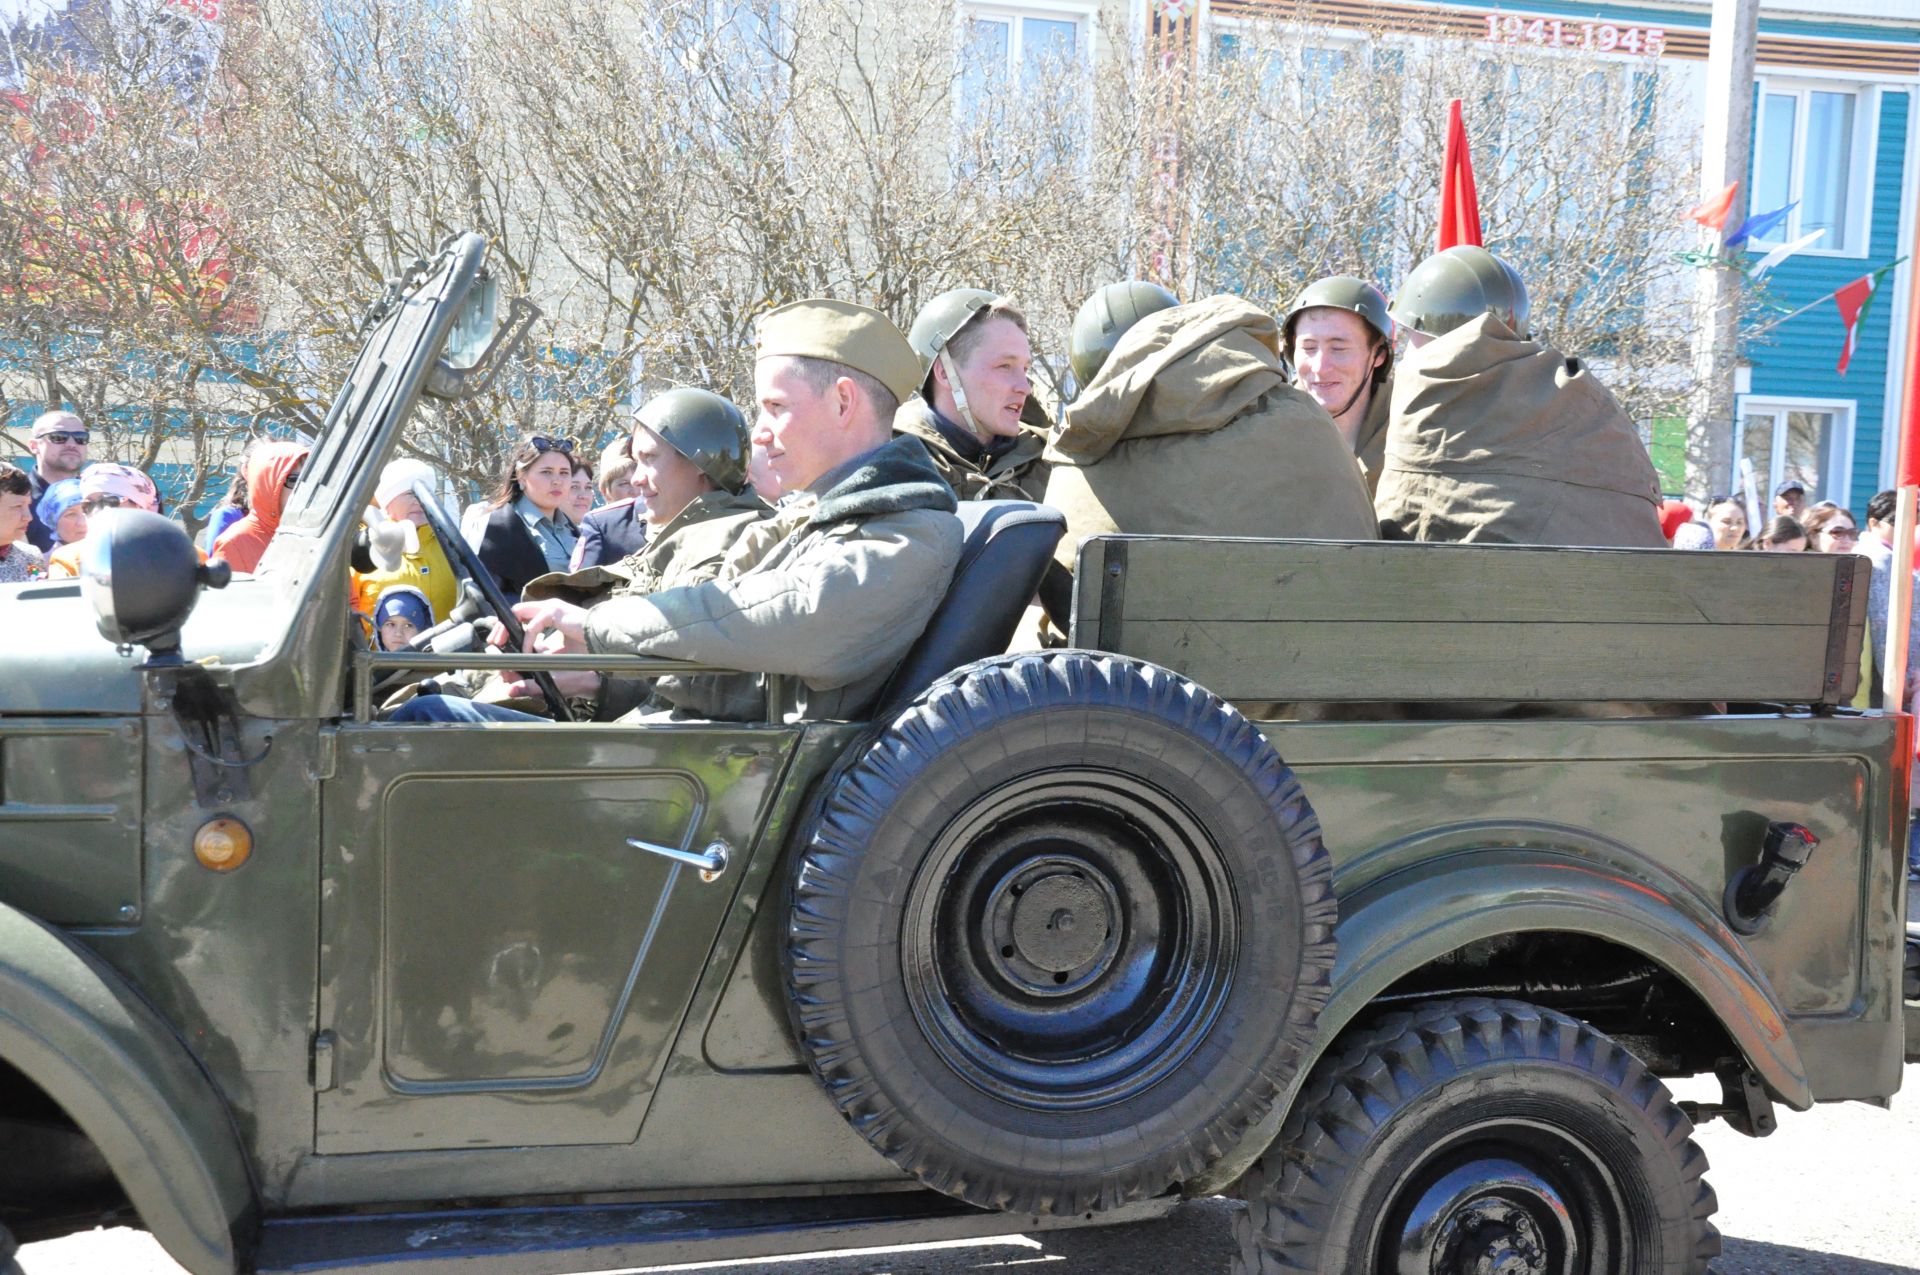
1414, 915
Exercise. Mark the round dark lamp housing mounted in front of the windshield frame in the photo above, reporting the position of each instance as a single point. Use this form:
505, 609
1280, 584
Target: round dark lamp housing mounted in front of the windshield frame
143, 577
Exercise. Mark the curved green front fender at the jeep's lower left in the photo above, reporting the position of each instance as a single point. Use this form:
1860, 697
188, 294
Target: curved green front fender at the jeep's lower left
80, 1032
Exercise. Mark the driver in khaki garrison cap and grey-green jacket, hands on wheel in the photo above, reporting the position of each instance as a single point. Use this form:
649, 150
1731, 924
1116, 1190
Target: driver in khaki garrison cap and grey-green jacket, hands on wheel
834, 590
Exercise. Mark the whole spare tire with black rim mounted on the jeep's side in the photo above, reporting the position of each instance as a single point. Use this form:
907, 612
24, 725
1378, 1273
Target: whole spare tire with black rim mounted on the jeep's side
1059, 932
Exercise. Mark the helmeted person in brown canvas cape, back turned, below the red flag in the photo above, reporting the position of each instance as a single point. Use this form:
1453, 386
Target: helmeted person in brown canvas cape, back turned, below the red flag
1499, 439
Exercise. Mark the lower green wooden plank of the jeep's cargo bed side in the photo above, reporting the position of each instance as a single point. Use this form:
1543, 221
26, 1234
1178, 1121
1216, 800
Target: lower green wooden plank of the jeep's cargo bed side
1508, 662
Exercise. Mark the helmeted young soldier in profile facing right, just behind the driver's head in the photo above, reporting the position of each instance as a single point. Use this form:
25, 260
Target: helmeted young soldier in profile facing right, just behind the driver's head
976, 408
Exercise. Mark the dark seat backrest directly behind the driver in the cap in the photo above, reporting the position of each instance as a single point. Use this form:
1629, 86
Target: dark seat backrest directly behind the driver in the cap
1007, 550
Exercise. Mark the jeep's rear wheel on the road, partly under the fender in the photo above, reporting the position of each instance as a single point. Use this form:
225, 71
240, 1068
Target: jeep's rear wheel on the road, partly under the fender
1481, 1136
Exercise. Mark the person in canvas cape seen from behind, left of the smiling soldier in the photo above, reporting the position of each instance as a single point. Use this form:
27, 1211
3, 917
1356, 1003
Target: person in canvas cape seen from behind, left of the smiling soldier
1186, 423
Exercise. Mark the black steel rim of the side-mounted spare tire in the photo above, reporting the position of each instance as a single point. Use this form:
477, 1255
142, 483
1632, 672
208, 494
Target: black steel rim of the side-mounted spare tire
1070, 940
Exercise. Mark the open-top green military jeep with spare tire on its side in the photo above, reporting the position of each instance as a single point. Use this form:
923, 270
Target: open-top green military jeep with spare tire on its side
1047, 940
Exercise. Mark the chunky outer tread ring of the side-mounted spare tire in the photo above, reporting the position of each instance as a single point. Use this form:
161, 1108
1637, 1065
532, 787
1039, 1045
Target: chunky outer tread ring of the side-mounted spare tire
859, 792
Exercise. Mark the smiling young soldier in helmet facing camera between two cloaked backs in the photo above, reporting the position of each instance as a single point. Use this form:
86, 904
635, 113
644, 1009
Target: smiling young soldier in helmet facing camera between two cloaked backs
1341, 343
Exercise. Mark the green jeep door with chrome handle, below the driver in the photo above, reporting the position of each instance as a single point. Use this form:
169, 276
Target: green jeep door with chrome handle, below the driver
500, 967
